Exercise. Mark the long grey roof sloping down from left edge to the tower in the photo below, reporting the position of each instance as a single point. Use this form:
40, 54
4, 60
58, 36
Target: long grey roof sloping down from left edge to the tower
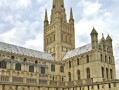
24, 51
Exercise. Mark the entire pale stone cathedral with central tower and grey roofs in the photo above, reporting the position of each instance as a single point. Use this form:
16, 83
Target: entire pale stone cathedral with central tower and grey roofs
61, 66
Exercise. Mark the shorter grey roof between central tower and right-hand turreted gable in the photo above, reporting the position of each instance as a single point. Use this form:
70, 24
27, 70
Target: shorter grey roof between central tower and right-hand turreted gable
78, 51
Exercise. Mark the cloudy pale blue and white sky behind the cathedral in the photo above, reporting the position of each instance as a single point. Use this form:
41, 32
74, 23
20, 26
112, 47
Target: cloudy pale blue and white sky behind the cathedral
21, 21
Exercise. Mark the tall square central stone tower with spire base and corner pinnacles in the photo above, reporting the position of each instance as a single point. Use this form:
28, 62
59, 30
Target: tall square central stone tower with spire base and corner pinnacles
58, 33
